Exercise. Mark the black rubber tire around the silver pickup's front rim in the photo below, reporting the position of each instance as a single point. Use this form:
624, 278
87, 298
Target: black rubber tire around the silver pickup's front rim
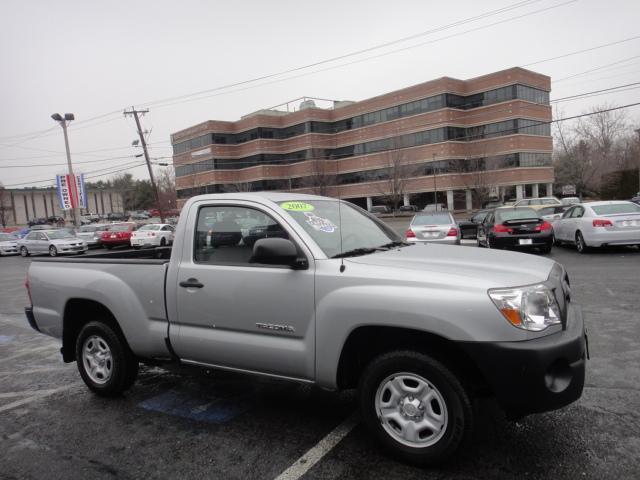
458, 406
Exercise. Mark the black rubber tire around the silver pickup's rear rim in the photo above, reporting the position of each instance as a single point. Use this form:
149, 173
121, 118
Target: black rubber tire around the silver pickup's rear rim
123, 365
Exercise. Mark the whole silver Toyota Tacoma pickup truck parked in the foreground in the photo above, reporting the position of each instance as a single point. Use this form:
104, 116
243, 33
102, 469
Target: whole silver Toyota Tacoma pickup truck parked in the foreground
316, 290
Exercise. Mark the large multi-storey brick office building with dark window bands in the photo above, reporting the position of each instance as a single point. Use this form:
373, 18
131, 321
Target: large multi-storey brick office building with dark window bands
455, 137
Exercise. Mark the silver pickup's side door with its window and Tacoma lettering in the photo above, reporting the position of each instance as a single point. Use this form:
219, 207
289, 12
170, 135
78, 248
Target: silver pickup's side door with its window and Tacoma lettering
237, 314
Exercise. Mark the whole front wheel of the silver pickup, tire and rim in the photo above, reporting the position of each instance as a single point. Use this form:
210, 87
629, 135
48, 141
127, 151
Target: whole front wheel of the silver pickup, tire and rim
415, 406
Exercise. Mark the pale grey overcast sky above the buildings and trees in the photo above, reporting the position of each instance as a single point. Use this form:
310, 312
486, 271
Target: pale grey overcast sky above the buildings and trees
96, 59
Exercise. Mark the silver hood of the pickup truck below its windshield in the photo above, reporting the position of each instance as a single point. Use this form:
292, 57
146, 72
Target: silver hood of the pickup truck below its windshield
491, 268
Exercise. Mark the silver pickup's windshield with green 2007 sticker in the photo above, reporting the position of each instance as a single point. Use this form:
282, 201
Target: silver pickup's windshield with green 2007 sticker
339, 227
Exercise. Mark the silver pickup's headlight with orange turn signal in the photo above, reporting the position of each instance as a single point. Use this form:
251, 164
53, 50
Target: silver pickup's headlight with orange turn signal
530, 308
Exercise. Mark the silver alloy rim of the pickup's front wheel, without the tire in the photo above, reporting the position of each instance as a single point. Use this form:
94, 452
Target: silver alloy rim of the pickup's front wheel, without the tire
411, 410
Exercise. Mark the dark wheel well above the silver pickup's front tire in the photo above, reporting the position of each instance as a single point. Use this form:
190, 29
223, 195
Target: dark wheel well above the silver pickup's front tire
366, 343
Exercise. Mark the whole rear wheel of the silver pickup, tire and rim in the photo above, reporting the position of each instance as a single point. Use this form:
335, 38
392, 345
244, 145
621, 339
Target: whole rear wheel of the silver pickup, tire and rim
106, 364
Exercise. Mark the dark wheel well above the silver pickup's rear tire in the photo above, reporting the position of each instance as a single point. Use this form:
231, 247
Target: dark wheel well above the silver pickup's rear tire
77, 313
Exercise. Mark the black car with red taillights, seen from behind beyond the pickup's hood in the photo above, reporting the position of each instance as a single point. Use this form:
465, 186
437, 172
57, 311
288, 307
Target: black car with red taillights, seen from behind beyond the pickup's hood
515, 228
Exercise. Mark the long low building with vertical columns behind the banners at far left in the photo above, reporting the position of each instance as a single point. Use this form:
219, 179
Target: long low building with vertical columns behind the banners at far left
20, 205
